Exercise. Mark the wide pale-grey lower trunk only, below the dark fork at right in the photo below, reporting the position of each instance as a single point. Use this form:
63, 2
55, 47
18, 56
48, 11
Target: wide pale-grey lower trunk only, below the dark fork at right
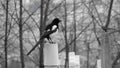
106, 55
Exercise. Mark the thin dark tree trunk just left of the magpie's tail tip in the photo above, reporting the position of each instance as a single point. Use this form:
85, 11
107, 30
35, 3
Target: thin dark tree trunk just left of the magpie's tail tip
21, 37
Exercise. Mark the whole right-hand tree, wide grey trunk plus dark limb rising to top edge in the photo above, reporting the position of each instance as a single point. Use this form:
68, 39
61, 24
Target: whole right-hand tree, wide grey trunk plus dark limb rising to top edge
106, 41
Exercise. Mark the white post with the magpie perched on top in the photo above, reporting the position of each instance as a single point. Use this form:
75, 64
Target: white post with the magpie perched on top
51, 58
